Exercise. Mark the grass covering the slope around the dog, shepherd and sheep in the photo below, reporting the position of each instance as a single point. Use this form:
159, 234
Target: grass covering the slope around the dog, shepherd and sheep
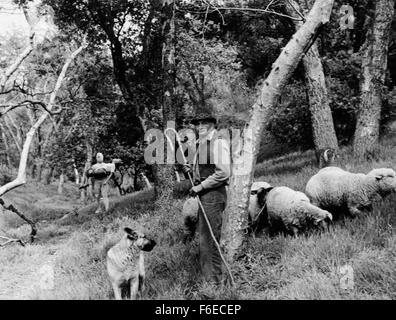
281, 267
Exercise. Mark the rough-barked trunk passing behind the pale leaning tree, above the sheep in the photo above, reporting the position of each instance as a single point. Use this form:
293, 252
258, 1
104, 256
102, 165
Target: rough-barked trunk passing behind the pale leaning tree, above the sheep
324, 135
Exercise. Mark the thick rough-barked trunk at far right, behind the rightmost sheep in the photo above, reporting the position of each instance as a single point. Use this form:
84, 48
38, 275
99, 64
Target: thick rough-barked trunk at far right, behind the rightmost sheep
374, 66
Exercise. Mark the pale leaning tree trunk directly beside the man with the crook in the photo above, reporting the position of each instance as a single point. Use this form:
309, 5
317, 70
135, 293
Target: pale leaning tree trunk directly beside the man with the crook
245, 154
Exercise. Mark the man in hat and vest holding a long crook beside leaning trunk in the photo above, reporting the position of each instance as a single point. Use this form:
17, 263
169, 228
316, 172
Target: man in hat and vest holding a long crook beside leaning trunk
211, 171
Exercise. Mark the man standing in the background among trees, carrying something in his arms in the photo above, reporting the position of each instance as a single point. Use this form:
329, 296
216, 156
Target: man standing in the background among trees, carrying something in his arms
101, 173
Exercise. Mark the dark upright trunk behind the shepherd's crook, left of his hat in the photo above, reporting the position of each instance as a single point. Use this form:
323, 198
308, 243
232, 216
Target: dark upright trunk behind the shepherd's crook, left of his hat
165, 172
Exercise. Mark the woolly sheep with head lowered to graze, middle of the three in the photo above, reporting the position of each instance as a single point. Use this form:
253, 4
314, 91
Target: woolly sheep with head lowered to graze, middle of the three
292, 211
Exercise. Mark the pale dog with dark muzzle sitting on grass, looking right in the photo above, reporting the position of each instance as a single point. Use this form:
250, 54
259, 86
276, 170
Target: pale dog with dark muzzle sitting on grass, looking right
125, 264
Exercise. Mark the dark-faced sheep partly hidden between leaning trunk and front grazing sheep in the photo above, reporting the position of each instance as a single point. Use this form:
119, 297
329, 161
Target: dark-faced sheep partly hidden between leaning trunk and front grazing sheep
257, 218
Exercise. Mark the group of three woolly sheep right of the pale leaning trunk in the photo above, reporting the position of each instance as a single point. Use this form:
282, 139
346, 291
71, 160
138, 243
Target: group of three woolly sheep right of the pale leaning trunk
330, 194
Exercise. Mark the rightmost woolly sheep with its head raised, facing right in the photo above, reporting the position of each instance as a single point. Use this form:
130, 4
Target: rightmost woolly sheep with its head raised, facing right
349, 194
